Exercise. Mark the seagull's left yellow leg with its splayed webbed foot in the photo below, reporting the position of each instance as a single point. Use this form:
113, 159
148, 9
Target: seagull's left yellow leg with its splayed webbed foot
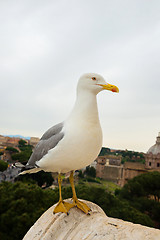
62, 206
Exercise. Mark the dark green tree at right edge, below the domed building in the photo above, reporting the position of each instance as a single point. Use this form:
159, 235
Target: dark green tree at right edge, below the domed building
143, 193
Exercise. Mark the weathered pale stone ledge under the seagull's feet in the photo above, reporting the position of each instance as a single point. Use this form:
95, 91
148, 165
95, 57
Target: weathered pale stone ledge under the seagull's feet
79, 226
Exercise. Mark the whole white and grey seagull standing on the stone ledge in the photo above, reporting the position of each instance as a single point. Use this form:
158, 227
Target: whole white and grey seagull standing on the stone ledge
74, 143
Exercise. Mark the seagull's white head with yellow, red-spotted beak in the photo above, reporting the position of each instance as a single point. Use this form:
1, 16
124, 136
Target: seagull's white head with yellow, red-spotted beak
95, 83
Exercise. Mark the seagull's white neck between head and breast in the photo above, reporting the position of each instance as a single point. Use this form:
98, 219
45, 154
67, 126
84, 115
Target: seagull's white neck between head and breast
85, 109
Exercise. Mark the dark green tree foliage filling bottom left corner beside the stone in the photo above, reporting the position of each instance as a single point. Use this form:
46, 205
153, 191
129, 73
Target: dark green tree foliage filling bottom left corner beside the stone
21, 204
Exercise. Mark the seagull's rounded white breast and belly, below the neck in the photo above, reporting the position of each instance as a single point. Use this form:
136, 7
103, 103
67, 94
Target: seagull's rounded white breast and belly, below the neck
80, 146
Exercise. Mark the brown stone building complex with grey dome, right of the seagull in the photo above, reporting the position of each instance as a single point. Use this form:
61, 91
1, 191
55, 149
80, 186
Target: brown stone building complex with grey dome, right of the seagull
109, 167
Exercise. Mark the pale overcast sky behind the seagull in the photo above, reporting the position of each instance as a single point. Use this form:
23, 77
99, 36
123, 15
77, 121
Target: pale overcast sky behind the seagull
45, 46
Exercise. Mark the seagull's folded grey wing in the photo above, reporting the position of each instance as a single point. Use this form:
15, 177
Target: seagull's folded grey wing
48, 141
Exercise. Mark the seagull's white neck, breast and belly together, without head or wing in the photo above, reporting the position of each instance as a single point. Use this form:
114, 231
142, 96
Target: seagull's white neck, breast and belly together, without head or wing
82, 139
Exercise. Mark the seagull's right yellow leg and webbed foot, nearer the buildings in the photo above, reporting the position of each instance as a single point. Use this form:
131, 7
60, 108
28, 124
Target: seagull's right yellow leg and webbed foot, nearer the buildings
76, 202
